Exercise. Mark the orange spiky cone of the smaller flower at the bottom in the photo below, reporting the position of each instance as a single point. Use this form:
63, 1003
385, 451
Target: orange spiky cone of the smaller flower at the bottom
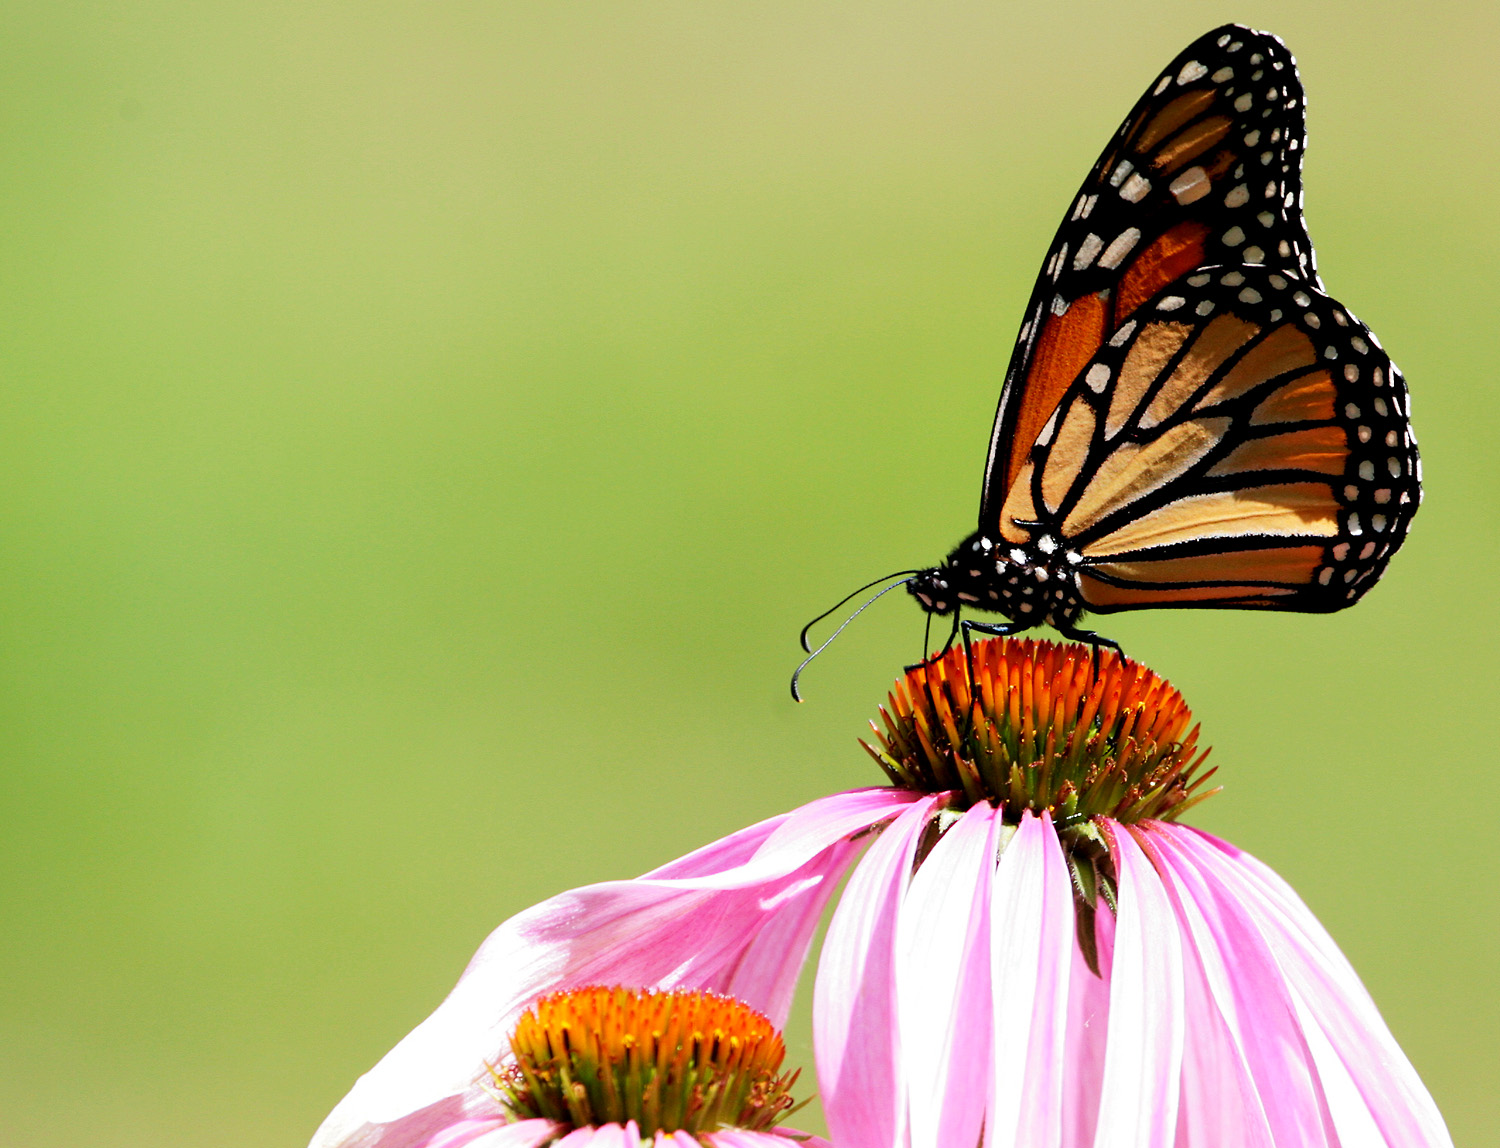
691, 1062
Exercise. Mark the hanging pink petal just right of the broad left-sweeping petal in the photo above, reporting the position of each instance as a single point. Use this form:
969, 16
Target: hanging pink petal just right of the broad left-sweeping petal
854, 999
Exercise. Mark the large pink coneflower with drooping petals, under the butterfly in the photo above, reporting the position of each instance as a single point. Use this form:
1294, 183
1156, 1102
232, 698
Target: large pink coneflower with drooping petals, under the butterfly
1030, 954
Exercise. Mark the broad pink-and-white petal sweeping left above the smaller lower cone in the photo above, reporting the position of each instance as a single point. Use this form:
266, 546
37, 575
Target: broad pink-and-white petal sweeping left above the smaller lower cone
695, 924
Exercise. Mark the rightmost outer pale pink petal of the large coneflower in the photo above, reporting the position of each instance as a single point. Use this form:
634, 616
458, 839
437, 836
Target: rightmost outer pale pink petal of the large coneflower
1370, 1086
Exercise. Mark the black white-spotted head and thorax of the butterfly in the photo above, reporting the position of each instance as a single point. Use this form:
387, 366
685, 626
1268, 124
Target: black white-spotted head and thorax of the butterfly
1031, 585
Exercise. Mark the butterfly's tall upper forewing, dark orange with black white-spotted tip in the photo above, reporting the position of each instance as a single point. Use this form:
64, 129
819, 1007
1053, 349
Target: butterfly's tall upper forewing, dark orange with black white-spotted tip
1205, 170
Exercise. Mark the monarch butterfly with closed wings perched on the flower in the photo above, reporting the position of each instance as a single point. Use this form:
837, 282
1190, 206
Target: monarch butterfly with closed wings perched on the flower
1187, 419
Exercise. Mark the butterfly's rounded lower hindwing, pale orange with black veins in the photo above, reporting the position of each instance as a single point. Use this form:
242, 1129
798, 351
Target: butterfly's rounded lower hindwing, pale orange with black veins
1241, 442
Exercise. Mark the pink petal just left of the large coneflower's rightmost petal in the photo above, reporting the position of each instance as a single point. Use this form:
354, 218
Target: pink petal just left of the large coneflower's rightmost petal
1249, 993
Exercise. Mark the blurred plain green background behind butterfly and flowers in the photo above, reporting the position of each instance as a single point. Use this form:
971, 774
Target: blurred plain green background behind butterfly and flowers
427, 427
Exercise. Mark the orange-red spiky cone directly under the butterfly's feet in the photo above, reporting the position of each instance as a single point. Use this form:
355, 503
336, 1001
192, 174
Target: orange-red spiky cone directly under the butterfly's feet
1045, 729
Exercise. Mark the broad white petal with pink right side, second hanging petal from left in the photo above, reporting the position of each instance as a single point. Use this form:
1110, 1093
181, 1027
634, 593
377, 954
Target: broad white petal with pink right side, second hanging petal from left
943, 984
